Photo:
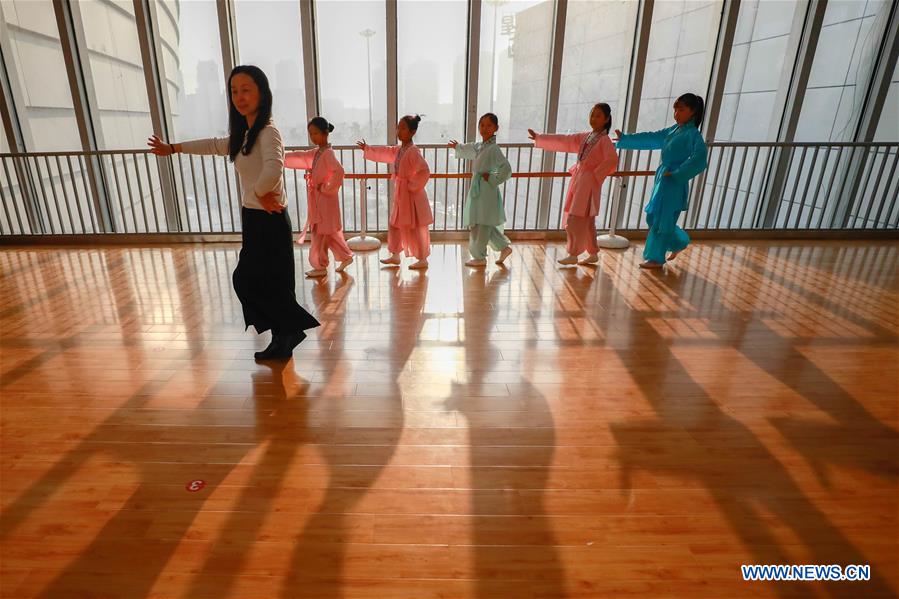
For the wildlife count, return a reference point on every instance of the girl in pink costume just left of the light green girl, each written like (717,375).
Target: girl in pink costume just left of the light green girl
(411,213)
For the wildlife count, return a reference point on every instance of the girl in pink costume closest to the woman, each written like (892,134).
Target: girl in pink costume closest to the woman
(324,176)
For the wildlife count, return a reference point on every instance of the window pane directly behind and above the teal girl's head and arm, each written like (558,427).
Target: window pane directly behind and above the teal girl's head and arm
(679,57)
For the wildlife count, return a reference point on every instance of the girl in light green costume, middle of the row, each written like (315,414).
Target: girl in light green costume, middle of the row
(484,214)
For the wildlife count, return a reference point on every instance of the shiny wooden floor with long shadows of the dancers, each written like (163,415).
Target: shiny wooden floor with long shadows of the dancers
(532,431)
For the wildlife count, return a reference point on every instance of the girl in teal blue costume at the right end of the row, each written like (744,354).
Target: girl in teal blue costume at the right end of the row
(683,157)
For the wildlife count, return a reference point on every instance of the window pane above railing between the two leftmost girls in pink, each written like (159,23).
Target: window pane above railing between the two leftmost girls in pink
(352,73)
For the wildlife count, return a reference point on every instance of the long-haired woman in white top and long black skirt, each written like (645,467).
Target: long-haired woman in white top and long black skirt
(264,278)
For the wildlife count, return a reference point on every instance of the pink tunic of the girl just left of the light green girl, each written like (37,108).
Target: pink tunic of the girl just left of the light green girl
(411,207)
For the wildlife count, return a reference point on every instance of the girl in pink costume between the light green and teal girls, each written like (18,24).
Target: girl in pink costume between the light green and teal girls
(596,160)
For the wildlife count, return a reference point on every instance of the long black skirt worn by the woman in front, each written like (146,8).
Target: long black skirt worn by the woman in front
(264,279)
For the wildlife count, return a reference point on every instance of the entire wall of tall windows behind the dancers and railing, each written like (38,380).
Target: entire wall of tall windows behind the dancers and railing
(513,73)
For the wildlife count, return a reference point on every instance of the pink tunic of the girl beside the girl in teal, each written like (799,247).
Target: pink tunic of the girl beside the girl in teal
(596,161)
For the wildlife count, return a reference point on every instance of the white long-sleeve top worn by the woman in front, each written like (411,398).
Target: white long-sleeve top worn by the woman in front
(260,171)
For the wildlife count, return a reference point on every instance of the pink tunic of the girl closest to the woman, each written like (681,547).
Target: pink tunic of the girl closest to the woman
(324,176)
